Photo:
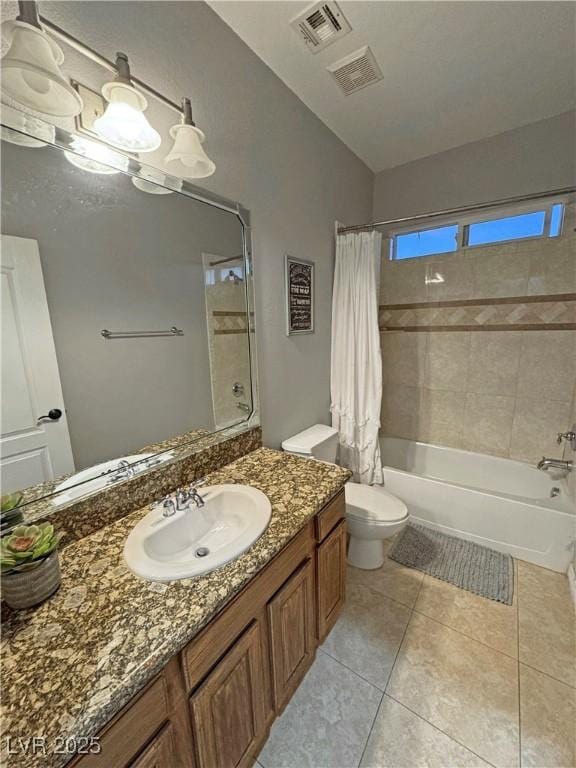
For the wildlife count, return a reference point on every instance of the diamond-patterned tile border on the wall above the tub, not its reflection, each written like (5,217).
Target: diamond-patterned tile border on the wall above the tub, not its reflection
(510,313)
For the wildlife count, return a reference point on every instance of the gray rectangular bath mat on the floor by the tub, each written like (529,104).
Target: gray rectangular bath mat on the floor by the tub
(463,563)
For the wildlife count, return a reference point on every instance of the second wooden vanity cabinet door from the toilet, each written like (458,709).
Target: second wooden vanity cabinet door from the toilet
(291,615)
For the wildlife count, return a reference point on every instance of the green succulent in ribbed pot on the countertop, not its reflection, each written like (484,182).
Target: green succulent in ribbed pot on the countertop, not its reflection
(29,564)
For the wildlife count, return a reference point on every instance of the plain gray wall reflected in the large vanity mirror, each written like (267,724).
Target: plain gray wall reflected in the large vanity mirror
(115,257)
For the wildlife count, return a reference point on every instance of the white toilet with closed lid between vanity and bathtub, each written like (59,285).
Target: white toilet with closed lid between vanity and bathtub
(372,514)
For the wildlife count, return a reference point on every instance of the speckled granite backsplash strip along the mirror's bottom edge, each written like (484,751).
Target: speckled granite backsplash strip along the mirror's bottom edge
(191,461)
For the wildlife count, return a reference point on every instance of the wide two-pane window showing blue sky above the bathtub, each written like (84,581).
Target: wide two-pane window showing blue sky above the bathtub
(470,232)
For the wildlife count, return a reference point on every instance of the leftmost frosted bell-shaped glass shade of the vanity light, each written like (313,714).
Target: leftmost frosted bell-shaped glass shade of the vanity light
(31,72)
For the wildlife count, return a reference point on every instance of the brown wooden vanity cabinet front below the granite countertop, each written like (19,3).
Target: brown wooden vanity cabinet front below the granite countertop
(213,703)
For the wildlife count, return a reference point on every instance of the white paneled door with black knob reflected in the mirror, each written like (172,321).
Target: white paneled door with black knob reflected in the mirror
(32,448)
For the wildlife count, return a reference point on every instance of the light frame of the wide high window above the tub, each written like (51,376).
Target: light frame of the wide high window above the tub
(464,222)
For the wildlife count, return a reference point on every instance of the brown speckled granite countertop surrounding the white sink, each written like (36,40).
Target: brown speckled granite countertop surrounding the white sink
(69,665)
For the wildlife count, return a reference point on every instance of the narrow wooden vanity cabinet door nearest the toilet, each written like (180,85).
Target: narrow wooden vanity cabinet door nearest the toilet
(331,579)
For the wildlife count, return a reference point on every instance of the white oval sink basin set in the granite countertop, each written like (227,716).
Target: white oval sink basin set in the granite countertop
(197,539)
